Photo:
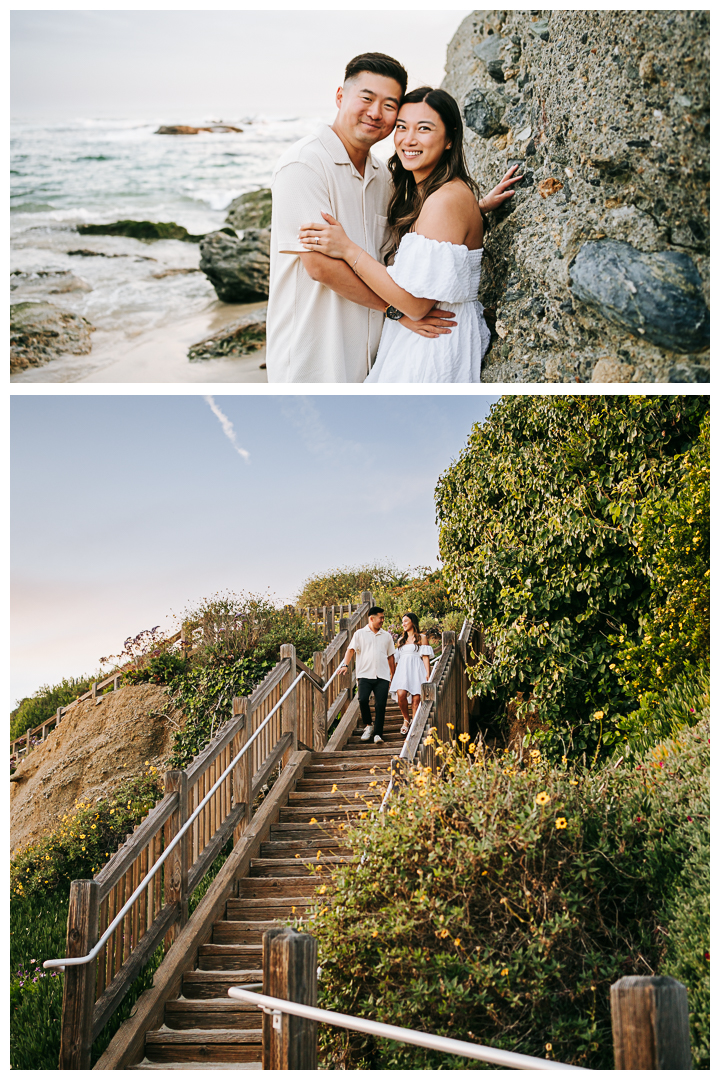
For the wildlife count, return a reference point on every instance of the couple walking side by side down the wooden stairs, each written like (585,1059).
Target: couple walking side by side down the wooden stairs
(384,668)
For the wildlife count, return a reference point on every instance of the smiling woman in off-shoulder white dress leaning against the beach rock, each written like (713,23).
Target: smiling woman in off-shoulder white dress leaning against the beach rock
(437,228)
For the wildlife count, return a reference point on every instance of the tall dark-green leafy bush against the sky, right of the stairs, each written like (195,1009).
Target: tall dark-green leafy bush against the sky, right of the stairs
(537,536)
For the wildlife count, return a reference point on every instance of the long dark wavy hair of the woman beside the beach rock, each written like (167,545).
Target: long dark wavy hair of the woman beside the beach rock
(409,197)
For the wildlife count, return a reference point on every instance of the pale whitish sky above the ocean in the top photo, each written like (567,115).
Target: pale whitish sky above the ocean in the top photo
(187,65)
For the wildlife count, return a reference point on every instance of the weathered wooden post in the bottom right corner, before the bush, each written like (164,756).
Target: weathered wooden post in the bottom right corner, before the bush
(650,1023)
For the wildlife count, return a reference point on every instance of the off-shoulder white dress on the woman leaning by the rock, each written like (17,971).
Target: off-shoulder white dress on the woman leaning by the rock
(450,274)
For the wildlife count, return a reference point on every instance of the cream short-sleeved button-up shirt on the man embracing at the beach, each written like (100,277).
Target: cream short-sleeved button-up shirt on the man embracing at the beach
(315,335)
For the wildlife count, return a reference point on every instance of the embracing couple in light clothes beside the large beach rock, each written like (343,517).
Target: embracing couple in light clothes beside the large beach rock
(375,269)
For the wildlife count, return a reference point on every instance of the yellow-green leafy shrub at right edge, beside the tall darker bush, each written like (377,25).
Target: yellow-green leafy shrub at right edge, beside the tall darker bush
(673,538)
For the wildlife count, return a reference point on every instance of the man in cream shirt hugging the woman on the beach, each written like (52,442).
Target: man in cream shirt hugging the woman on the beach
(324,325)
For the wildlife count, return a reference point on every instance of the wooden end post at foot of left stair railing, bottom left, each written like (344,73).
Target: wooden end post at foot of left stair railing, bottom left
(79,992)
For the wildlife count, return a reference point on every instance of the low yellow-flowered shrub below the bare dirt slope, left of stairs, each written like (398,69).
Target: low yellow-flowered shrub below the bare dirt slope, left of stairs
(84,841)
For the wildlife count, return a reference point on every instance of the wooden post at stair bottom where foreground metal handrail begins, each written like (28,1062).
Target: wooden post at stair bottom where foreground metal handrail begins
(290,971)
